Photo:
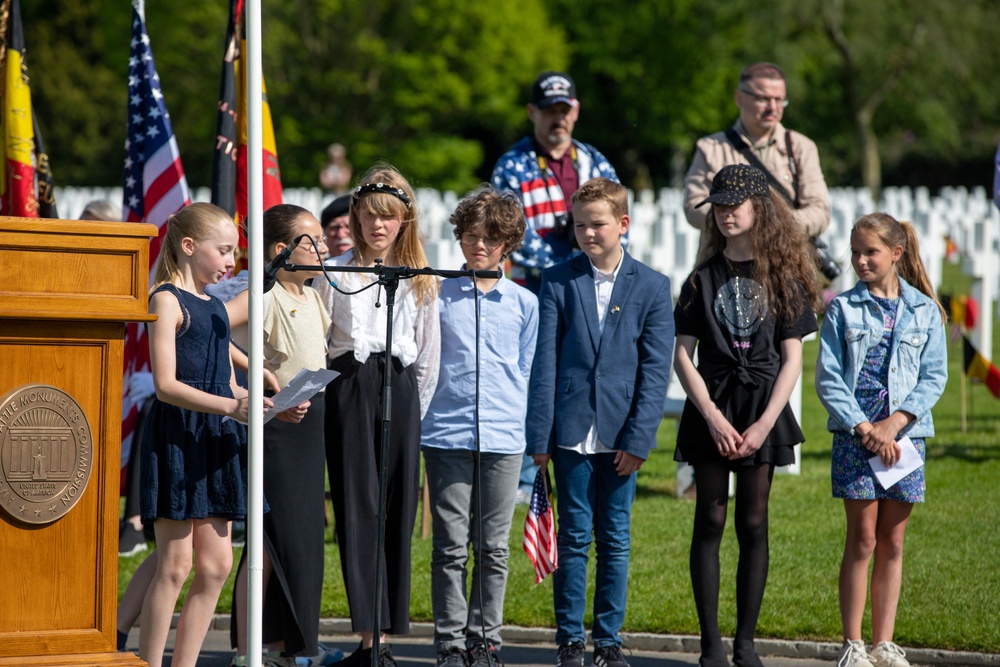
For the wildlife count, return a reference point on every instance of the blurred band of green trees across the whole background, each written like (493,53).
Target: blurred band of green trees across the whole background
(893,92)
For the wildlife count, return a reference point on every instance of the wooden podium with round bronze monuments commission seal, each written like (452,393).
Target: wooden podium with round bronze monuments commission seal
(67,288)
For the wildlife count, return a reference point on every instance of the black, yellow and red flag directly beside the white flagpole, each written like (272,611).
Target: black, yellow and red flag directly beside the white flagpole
(229,167)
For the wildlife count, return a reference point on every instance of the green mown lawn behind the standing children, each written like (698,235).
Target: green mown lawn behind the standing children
(951,574)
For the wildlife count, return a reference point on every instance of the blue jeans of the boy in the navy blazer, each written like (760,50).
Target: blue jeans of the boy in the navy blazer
(592,501)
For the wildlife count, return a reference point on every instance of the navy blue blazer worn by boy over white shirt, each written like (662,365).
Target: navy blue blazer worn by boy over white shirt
(620,376)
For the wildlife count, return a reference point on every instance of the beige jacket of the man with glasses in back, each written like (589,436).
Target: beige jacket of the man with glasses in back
(715,151)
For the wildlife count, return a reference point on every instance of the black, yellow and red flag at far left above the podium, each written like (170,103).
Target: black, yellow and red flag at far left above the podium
(25,179)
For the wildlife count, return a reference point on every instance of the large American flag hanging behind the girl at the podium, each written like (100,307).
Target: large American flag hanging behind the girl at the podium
(154,189)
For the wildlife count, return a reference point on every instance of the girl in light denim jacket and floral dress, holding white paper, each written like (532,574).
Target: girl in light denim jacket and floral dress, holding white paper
(882,367)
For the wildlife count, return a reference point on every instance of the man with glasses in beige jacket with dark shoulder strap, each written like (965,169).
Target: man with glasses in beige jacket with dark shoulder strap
(790,157)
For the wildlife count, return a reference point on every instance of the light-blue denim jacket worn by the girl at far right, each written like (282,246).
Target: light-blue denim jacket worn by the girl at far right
(918,364)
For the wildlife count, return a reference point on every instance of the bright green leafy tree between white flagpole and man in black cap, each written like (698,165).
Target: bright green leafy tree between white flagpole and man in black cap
(420,84)
